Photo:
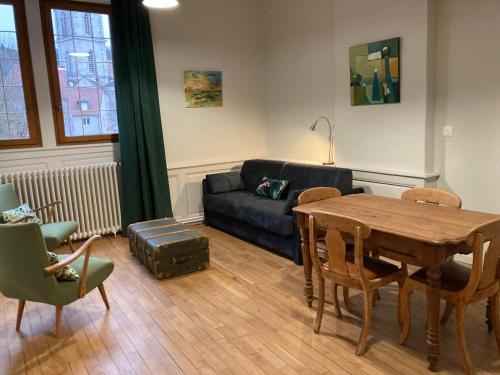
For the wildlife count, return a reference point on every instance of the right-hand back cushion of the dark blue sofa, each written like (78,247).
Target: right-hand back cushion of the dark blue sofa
(303,176)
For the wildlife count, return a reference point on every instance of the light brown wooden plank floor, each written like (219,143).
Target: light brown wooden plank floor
(245,314)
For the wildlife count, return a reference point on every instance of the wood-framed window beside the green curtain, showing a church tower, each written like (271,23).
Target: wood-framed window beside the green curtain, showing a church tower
(81,71)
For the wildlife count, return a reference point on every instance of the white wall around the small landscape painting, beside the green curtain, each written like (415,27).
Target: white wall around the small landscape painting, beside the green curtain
(224,35)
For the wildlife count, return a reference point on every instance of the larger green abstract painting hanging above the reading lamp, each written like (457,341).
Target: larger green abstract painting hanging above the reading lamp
(374,74)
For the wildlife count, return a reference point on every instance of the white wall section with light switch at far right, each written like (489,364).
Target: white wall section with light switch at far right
(468,98)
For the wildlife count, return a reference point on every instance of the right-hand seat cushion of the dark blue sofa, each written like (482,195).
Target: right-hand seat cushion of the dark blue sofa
(267,214)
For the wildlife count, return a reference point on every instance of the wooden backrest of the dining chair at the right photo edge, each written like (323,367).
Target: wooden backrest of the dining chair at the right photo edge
(484,269)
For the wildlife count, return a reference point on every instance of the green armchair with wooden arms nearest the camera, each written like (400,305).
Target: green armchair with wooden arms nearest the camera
(25,273)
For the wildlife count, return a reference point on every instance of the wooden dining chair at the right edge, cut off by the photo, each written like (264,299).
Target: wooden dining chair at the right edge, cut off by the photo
(462,286)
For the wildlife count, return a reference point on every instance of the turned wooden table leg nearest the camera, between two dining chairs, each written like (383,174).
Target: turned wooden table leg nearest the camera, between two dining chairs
(433,301)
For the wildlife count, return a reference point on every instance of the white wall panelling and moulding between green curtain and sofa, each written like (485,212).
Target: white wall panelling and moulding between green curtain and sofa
(186,187)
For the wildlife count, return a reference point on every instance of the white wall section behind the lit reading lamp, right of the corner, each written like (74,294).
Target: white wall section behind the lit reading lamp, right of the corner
(299,71)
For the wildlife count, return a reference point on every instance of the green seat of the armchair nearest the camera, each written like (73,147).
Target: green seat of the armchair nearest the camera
(98,271)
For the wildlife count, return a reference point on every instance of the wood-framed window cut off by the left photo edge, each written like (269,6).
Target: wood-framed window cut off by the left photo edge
(19,124)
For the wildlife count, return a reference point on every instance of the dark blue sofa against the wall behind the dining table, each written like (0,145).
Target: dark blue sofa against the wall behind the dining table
(231,205)
